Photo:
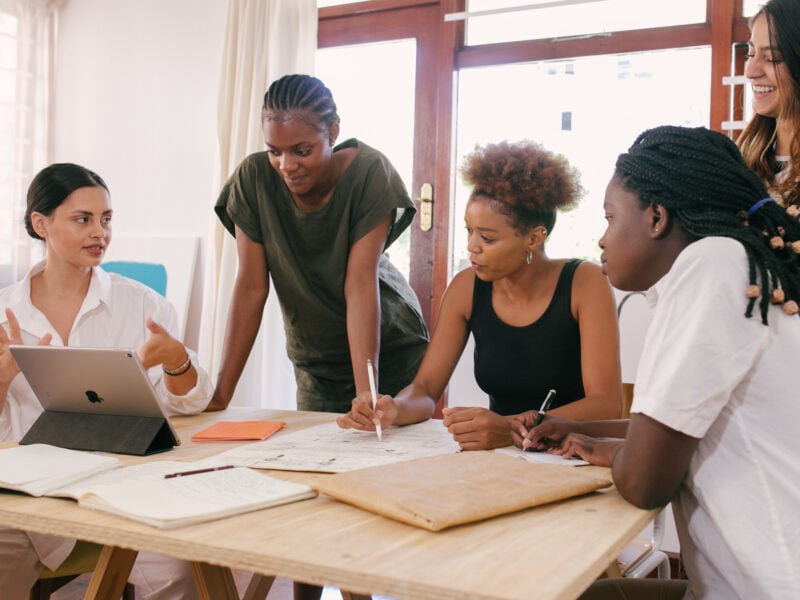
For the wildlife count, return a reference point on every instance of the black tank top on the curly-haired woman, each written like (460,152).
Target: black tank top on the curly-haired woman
(517,366)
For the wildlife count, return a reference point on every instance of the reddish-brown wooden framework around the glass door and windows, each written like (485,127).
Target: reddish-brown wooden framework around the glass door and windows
(392,19)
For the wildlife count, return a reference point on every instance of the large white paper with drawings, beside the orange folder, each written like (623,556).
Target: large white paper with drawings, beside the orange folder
(329,449)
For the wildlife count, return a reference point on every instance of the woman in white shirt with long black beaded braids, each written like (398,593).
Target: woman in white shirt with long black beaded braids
(713,424)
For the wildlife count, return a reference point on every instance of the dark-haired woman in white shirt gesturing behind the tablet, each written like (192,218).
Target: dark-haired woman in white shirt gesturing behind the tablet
(69,300)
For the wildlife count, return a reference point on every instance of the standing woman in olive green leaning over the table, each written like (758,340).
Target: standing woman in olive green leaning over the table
(316,218)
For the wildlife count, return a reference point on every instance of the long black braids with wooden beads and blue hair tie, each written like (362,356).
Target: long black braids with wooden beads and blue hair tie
(701,177)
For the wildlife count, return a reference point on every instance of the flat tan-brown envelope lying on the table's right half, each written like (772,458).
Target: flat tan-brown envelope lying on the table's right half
(441,491)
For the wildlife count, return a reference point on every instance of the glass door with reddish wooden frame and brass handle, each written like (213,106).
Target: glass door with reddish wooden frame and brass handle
(375,64)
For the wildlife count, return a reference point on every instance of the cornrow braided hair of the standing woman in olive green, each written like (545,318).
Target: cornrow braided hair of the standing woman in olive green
(292,93)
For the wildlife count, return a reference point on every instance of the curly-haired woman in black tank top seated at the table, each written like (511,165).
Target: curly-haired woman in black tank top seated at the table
(538,323)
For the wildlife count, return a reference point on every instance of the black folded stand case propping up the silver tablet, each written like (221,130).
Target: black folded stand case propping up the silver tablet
(119,434)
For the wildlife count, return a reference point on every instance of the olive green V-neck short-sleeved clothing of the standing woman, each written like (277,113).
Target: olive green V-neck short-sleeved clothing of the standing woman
(307,254)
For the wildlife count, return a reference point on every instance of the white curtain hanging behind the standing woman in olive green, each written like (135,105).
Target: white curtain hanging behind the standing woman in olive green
(264,40)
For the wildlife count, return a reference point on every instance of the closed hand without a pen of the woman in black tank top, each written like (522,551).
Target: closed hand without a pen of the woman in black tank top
(477,428)
